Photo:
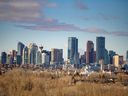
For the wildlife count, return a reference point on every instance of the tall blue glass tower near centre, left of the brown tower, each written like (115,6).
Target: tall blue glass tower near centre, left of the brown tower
(72,49)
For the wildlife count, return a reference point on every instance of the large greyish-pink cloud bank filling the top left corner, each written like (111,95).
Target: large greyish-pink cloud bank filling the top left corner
(23,10)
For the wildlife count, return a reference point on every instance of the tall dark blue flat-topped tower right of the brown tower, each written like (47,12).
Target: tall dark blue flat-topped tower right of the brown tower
(100,49)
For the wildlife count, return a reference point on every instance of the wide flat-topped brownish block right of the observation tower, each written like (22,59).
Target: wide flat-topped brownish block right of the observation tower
(56,56)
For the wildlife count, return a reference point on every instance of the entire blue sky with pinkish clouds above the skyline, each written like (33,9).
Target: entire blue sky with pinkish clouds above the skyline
(50,23)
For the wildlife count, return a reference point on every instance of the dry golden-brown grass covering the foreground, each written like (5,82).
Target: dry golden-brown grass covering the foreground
(20,83)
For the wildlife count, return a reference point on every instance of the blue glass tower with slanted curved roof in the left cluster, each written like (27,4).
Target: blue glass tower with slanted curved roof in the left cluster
(20,47)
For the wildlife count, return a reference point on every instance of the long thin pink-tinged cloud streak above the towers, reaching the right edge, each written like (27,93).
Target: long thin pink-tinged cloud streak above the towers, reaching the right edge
(56,26)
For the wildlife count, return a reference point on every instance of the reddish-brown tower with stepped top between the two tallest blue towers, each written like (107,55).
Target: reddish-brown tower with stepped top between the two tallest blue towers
(90,52)
